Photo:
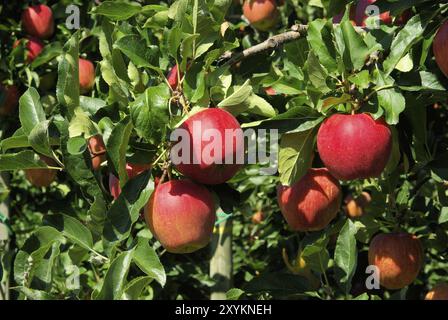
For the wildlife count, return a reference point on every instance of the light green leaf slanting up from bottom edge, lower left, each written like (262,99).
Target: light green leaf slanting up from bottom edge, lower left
(115,279)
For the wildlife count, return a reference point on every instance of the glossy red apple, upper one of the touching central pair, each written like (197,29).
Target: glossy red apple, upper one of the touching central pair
(210,166)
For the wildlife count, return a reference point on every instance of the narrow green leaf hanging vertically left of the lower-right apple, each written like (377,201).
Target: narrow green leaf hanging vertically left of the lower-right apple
(346,255)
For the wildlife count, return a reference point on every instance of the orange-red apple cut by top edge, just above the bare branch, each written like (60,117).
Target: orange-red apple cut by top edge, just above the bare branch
(262,14)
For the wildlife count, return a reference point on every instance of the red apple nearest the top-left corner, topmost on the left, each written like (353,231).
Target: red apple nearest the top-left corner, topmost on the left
(38,21)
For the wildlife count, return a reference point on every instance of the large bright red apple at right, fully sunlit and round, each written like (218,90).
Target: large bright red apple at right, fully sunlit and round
(354,146)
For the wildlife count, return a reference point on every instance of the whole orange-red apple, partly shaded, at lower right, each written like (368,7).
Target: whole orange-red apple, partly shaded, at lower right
(399,258)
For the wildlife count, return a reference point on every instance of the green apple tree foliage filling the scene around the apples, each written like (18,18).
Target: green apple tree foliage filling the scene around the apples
(388,72)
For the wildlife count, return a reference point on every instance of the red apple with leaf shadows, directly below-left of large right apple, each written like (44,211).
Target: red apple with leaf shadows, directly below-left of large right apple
(311,203)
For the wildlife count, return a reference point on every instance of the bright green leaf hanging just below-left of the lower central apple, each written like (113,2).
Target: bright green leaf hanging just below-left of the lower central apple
(147,260)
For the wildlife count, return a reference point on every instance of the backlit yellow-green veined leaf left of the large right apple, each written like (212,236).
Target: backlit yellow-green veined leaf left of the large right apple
(295,156)
